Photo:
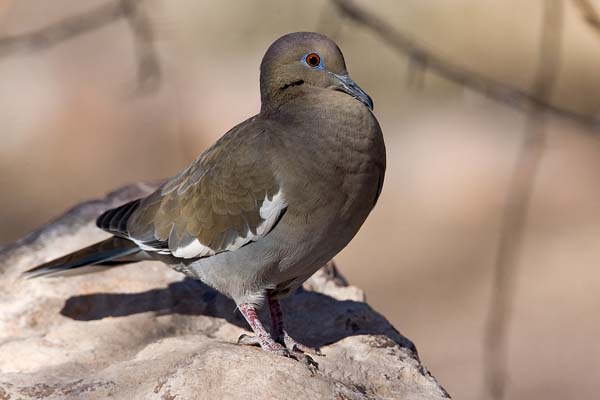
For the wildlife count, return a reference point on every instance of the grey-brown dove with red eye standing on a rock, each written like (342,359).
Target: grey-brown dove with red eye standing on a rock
(271,201)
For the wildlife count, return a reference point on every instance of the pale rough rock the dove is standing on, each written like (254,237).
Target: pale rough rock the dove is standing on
(143,331)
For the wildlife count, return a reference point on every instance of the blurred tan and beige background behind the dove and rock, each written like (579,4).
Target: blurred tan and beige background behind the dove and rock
(484,247)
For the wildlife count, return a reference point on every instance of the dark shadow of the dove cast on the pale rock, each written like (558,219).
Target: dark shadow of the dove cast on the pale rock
(312,318)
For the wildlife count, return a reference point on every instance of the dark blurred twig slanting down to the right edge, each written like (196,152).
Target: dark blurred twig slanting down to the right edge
(498,91)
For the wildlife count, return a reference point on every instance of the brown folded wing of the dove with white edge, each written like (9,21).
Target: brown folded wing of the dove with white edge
(225,199)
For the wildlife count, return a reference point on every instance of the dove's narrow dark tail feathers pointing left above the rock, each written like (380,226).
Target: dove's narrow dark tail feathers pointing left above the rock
(105,253)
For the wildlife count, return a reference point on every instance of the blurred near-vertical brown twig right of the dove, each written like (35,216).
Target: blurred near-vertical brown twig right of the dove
(517,205)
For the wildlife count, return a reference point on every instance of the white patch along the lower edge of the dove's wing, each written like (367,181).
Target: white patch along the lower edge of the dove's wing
(270,211)
